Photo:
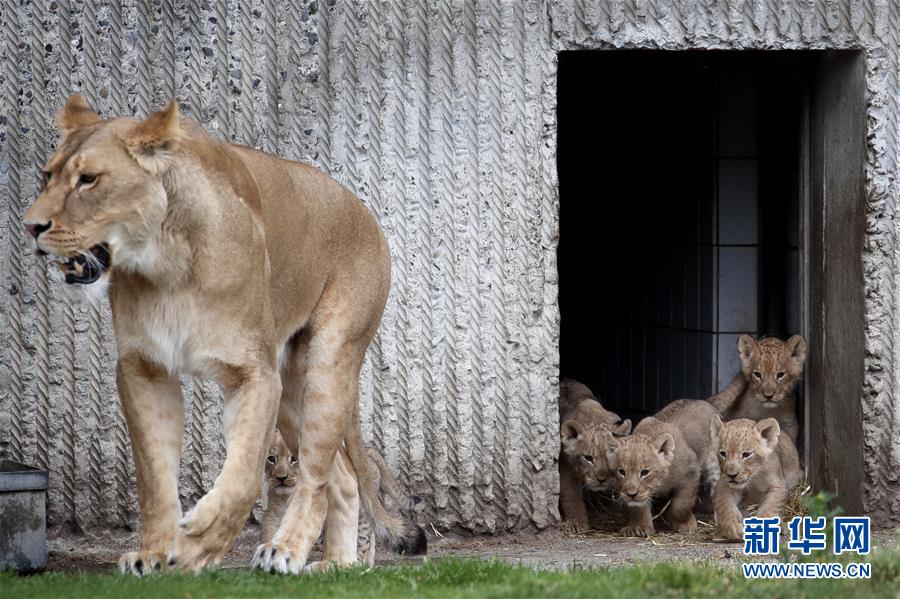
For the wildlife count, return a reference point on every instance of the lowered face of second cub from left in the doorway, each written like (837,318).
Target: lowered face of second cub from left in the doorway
(641,463)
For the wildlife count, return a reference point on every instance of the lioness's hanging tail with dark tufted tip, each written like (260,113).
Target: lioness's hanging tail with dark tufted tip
(399,534)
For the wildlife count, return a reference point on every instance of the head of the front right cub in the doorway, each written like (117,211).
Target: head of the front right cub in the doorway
(742,447)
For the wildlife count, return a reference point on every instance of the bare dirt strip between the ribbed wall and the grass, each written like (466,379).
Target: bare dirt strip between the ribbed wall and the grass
(547,549)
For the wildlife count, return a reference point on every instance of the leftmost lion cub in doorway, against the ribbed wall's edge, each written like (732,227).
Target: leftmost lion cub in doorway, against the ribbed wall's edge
(582,456)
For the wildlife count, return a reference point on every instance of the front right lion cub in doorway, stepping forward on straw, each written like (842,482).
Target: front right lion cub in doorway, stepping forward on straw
(758,465)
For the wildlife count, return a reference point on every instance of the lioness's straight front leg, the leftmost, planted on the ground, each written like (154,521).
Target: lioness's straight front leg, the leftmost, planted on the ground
(154,412)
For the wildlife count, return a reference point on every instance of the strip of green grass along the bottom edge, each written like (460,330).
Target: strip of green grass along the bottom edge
(462,578)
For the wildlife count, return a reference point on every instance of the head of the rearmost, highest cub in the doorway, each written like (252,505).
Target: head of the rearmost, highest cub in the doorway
(772,366)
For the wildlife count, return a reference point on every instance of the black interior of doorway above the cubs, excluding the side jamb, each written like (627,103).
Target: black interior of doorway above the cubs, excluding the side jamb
(679,184)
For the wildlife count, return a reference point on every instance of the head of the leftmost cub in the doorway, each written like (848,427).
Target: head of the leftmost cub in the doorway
(586,444)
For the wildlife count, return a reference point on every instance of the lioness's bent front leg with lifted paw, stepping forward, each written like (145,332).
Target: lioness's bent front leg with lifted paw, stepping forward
(208,530)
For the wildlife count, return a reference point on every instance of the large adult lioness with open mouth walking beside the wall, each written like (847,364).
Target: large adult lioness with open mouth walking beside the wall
(224,263)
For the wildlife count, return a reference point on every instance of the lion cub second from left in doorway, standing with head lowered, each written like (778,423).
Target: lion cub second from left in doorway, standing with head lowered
(668,455)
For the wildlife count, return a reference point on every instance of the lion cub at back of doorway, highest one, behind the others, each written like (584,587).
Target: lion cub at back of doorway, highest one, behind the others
(764,388)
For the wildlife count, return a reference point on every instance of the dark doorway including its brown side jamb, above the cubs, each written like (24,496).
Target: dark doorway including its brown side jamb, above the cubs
(703,195)
